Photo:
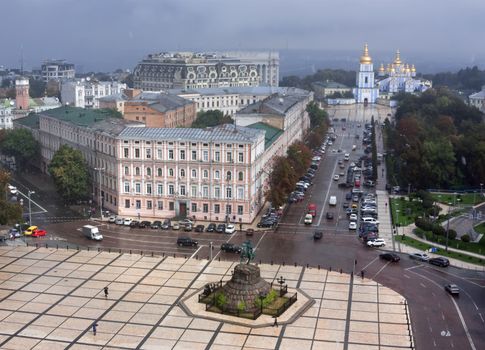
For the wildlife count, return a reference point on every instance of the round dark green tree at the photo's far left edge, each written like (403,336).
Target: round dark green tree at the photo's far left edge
(20,143)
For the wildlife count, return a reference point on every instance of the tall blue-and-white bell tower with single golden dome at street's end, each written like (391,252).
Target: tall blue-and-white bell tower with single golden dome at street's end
(366,91)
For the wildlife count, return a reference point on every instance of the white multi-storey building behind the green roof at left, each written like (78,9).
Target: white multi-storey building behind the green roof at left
(85,93)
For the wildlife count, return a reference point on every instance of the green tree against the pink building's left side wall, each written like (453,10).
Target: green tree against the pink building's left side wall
(70,174)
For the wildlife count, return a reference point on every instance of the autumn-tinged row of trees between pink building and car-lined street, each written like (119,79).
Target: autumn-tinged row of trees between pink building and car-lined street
(288,169)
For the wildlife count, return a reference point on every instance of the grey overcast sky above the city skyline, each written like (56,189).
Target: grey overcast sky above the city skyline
(107,34)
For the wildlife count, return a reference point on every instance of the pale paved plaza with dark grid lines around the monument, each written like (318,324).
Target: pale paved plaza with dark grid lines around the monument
(51,298)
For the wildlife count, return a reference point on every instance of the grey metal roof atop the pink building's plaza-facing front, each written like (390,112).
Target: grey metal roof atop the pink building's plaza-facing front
(221,133)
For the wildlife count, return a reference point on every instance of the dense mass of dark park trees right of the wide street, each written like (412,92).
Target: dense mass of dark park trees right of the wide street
(437,141)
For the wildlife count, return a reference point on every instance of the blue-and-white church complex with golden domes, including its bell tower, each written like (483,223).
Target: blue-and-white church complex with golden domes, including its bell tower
(397,77)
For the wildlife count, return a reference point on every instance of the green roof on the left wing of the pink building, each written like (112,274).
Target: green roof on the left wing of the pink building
(81,116)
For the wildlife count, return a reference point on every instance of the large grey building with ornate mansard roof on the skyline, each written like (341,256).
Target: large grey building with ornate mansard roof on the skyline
(187,70)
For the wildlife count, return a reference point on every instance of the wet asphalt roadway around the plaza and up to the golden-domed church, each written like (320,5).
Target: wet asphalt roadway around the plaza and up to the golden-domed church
(438,320)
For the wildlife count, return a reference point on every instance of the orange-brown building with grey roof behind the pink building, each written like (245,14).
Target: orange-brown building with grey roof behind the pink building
(155,109)
